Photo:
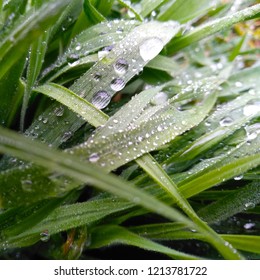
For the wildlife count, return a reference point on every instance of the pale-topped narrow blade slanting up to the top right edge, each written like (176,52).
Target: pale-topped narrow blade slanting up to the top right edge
(211,27)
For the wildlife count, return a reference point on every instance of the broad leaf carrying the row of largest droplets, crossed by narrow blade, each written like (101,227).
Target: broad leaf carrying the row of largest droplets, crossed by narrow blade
(100,76)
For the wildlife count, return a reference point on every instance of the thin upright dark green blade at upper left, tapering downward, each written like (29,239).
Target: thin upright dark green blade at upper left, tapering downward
(37,53)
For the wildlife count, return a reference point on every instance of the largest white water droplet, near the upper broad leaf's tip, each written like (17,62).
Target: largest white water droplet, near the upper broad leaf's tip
(150,48)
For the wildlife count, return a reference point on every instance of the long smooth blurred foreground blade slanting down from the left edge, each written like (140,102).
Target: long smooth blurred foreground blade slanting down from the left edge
(20,146)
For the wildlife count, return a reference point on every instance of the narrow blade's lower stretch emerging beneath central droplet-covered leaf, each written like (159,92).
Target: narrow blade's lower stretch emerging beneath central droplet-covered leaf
(152,168)
